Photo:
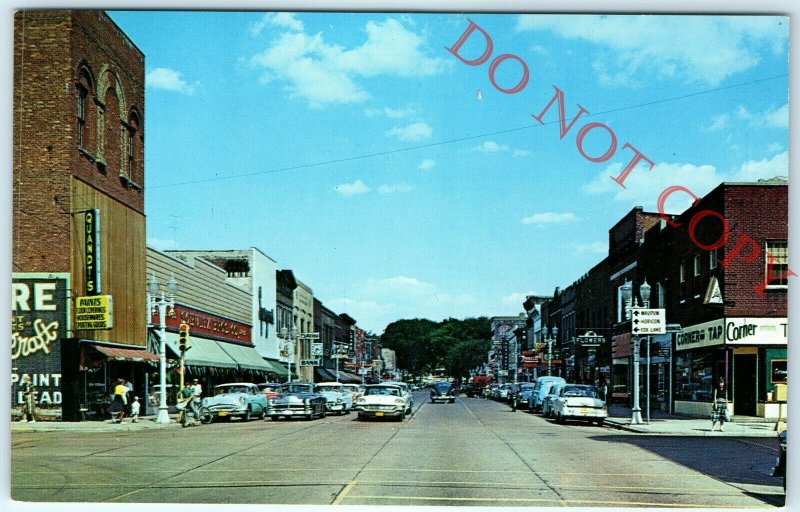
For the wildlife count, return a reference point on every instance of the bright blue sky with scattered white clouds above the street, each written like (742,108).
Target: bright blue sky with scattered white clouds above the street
(397,182)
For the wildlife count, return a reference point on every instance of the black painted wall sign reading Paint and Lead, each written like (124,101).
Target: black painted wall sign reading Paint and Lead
(39,321)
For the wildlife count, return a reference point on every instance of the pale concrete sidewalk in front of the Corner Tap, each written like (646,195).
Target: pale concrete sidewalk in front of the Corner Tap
(672,425)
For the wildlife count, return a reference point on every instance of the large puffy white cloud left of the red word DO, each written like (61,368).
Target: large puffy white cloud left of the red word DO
(325,73)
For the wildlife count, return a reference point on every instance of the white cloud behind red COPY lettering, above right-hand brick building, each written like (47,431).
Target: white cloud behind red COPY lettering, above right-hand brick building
(643,188)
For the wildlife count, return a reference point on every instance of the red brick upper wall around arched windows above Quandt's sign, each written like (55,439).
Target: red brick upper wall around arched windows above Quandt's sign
(49,48)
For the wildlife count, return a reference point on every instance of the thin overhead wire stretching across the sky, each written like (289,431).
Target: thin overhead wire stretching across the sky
(462,139)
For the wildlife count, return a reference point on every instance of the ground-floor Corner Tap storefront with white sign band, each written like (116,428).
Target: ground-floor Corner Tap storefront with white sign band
(749,353)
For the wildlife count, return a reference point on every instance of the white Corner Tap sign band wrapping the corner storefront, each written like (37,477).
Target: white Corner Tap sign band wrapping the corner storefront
(734,331)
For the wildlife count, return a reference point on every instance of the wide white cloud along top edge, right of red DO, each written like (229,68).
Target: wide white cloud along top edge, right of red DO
(720,46)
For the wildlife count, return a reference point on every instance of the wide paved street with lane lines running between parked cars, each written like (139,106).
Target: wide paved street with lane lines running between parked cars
(474,452)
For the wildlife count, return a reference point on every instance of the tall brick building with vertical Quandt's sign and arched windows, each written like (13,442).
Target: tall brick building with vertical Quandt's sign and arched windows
(78,171)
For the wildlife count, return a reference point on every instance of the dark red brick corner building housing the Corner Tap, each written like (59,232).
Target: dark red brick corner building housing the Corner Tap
(731,304)
